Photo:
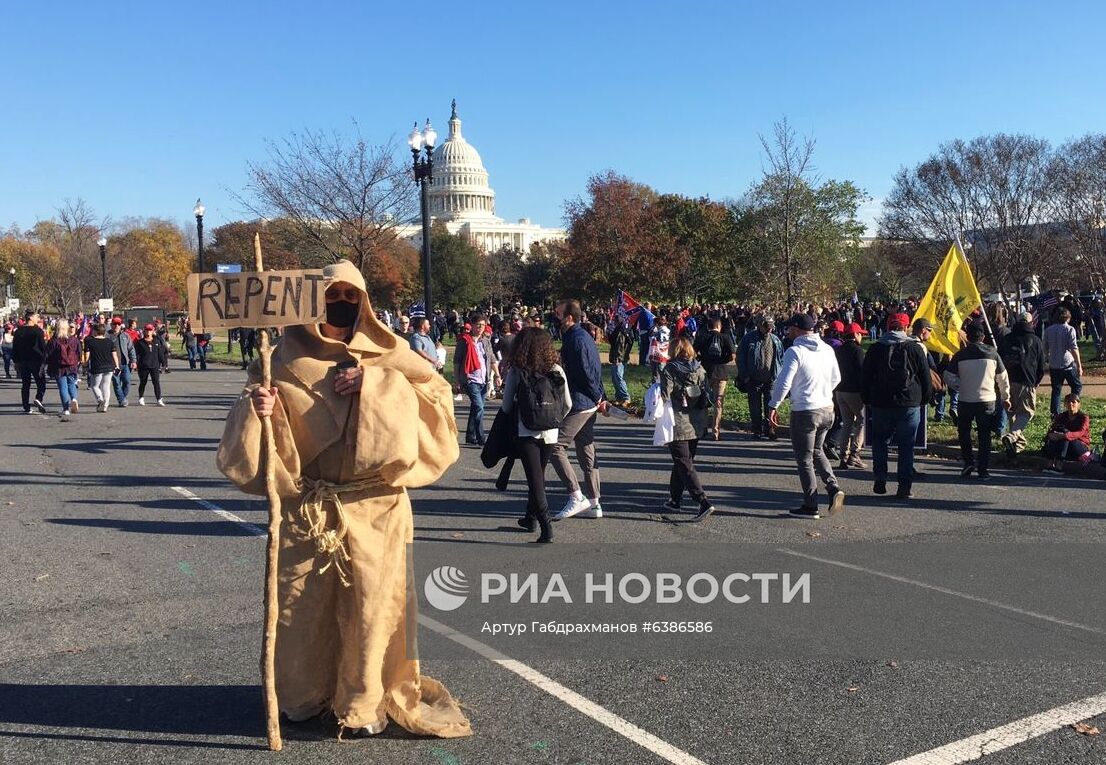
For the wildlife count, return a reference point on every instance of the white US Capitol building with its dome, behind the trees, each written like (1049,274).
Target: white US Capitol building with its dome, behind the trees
(463,201)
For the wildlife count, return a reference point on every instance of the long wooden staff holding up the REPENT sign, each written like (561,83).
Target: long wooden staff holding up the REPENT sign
(273,610)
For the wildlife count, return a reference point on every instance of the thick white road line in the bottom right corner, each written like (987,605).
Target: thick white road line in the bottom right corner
(1005,737)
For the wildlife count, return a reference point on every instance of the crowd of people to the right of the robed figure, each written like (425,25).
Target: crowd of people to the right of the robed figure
(841,394)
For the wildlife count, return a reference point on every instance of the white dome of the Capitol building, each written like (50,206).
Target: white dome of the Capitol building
(460,188)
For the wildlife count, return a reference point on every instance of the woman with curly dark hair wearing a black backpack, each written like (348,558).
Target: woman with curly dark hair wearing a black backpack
(538,392)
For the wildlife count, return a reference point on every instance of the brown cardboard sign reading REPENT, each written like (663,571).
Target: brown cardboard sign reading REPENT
(269,299)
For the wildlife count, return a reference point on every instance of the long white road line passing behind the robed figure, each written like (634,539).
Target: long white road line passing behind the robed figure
(620,726)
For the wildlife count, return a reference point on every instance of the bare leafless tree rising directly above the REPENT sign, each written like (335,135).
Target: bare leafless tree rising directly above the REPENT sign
(345,197)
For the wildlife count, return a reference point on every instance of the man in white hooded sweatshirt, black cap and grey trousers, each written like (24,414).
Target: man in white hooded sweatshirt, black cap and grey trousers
(809,374)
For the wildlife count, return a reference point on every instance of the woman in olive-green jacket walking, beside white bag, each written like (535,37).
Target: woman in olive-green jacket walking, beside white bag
(682,384)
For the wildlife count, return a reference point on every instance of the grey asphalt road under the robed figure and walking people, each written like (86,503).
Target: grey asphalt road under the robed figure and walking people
(130,623)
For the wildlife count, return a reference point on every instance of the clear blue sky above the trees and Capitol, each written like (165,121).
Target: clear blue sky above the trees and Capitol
(142,108)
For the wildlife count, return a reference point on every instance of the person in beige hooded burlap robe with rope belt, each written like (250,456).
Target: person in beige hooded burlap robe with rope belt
(350,444)
